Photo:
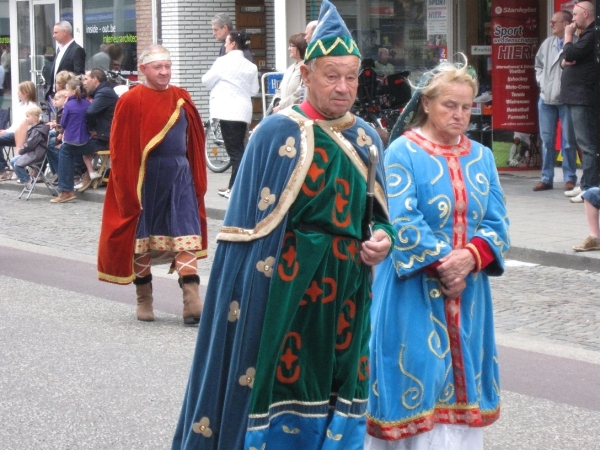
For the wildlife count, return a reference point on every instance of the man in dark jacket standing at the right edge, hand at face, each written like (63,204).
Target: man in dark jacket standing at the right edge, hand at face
(578,85)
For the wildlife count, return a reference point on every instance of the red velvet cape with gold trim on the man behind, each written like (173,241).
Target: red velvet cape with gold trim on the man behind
(143,116)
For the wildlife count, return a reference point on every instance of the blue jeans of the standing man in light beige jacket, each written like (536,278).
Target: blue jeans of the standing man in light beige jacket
(548,119)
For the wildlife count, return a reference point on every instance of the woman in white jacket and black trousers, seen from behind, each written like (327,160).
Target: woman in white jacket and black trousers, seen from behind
(232,81)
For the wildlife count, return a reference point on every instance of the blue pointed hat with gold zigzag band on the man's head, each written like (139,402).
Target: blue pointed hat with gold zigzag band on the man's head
(331,36)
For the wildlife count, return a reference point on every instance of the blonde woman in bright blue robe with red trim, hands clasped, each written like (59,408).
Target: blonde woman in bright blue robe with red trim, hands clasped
(434,365)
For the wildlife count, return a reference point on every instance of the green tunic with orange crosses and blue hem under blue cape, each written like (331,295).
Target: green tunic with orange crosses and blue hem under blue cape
(312,373)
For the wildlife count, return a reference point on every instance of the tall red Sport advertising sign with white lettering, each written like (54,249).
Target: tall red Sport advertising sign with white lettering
(514,44)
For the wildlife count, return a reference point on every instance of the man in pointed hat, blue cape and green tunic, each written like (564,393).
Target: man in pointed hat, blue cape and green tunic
(282,358)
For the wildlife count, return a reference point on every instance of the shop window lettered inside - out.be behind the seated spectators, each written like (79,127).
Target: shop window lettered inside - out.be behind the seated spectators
(110,36)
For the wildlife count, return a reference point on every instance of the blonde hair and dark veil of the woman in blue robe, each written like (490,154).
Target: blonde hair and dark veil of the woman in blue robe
(447,73)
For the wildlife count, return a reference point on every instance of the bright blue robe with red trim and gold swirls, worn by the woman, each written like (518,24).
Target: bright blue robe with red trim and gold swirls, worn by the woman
(434,360)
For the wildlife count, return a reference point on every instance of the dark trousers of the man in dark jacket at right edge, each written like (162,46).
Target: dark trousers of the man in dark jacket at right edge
(584,123)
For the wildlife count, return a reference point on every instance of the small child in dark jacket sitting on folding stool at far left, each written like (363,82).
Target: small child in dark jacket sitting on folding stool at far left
(35,147)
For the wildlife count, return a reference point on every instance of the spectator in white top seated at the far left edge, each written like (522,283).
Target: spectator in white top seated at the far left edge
(15,134)
